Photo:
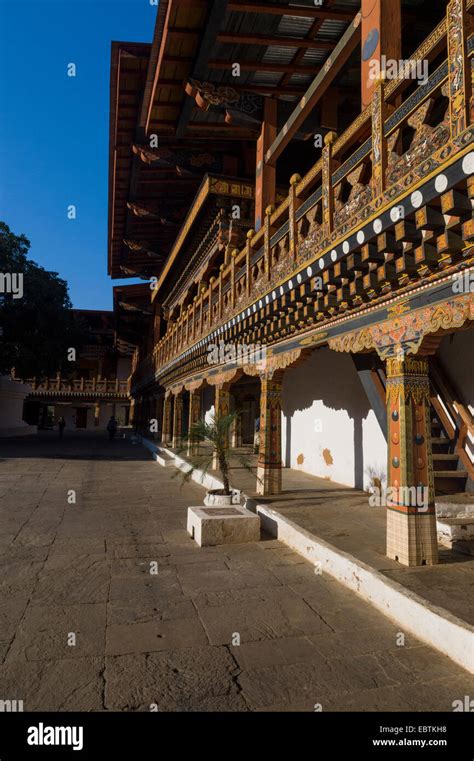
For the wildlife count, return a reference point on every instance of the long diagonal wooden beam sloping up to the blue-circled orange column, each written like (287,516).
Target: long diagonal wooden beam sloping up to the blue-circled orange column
(316,90)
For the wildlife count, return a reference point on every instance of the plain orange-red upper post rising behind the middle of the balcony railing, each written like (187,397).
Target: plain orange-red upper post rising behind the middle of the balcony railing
(265,176)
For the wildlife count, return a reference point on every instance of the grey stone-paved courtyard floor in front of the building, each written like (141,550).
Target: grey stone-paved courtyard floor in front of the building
(82,572)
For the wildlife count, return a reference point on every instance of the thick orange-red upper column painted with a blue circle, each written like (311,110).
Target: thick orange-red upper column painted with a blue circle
(381,39)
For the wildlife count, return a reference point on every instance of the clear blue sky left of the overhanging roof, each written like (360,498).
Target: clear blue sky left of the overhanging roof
(54,131)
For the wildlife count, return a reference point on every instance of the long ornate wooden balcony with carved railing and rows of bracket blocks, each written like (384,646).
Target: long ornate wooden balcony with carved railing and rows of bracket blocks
(386,207)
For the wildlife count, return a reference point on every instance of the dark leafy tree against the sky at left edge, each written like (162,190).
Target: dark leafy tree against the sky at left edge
(36,326)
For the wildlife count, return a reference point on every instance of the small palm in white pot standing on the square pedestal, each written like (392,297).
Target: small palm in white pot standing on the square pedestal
(214,433)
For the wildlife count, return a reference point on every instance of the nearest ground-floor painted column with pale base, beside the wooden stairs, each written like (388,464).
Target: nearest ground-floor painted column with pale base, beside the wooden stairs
(411,518)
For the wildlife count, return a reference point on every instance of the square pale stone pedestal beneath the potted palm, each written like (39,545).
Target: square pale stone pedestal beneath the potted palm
(210,526)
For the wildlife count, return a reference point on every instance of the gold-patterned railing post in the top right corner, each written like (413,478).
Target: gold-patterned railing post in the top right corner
(460,27)
